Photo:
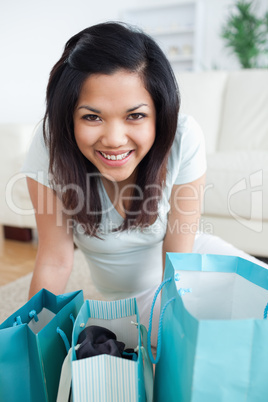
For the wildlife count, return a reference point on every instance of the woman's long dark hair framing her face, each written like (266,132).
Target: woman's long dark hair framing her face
(104,49)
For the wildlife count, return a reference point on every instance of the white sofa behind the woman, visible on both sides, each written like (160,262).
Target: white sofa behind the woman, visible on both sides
(232,109)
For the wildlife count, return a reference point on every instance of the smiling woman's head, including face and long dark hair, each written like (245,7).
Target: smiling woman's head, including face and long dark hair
(120,100)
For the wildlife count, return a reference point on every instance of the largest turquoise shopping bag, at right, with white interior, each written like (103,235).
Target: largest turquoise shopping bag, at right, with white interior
(213,331)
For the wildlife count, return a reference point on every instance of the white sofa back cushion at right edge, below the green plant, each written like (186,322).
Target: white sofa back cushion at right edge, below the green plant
(245,113)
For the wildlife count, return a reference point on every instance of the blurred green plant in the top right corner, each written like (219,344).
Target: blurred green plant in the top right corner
(246,34)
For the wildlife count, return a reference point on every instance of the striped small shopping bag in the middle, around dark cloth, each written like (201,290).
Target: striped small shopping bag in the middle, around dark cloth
(106,377)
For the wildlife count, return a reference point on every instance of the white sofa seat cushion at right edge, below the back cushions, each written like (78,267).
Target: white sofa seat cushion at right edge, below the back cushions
(237,185)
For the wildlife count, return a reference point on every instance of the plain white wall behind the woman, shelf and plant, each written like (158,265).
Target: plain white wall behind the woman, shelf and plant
(33,33)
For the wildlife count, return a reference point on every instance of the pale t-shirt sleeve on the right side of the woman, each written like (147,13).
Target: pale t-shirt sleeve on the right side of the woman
(188,156)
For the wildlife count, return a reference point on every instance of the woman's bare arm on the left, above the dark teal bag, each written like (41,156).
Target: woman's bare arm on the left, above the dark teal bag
(54,259)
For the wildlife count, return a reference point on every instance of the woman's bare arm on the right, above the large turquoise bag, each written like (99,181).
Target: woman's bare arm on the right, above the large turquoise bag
(183,218)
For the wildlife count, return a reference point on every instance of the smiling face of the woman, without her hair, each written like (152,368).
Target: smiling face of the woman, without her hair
(114,123)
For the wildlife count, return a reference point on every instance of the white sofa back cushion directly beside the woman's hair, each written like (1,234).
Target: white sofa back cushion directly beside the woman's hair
(202,95)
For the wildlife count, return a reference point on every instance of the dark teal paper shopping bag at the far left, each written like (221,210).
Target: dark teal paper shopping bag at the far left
(31,348)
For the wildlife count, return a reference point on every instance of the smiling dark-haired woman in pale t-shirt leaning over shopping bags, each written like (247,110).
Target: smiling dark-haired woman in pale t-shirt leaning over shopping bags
(114,168)
